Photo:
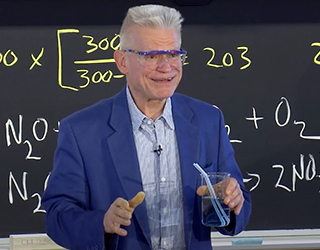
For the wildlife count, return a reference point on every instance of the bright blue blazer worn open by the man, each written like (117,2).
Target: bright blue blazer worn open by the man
(96,162)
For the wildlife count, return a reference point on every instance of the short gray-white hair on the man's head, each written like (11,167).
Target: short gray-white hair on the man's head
(151,15)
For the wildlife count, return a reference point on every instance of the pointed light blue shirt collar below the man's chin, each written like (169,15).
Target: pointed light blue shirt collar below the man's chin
(137,116)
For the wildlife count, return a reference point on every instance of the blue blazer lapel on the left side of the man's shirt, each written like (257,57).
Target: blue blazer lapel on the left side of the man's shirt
(124,155)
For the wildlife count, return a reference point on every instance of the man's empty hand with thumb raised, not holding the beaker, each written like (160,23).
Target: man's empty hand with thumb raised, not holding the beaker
(120,214)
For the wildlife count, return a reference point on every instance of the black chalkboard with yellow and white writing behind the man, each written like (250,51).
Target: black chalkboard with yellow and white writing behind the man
(258,61)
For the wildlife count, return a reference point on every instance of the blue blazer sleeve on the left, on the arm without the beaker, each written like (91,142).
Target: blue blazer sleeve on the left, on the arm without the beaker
(69,221)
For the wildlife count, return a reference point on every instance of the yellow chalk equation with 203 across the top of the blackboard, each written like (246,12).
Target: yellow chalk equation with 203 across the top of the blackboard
(9,58)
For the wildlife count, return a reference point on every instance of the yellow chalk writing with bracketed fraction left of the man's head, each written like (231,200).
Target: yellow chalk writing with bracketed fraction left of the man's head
(10,58)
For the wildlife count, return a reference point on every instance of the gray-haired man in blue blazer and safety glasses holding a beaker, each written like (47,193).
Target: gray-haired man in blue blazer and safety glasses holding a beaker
(123,176)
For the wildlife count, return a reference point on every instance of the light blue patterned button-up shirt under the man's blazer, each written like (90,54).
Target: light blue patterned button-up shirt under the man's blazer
(161,176)
